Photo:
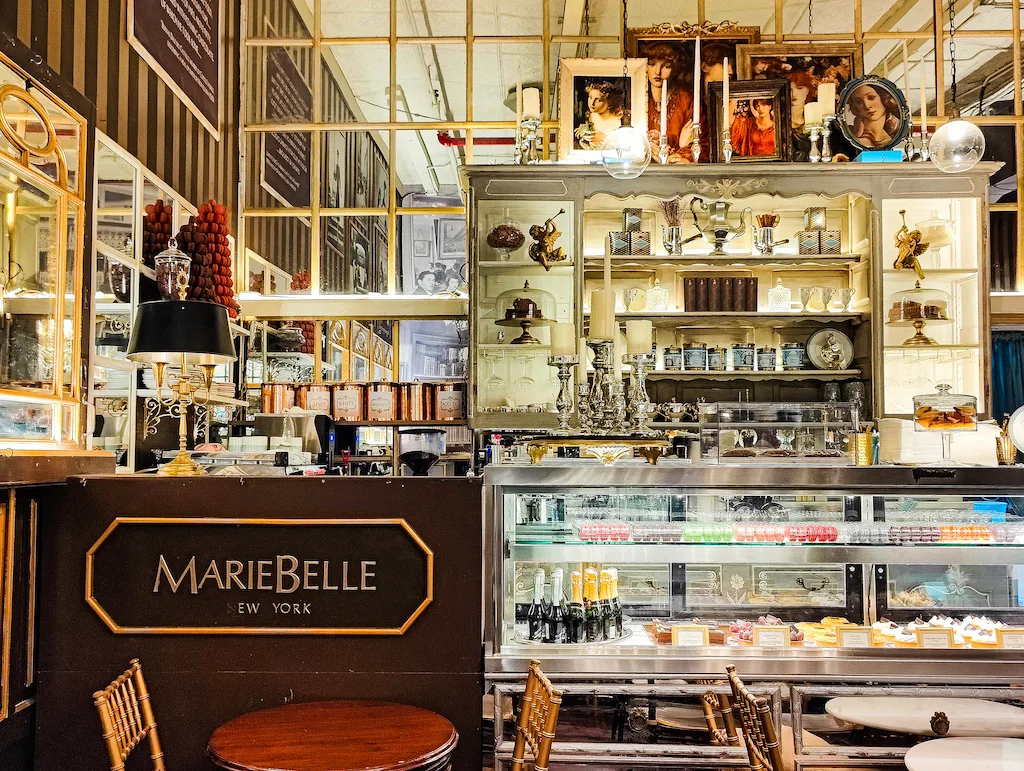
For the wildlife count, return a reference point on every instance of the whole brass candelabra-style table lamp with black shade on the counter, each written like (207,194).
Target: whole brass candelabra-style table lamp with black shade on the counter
(185,333)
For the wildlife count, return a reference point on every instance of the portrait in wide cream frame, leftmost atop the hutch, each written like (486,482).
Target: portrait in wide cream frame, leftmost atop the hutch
(595,98)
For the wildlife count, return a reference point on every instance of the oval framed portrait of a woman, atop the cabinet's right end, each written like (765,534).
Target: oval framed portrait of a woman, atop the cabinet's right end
(873,113)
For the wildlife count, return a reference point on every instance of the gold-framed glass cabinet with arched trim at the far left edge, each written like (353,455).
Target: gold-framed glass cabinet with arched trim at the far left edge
(42,179)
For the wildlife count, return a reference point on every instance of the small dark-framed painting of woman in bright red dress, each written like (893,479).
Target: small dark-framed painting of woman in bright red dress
(759,120)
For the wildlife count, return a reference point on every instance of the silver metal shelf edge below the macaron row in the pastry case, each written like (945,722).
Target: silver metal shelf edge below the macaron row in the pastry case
(791,554)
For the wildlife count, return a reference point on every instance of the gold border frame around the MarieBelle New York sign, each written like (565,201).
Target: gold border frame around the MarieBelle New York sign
(373,631)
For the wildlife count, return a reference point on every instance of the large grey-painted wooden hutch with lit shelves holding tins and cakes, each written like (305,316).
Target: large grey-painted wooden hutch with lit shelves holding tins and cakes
(797,265)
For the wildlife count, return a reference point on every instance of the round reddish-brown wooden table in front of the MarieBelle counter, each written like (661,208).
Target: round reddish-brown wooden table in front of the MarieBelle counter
(336,737)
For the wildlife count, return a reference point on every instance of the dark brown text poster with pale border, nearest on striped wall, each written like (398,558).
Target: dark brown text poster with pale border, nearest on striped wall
(182,41)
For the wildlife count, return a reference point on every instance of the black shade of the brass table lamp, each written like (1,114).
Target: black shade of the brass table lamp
(164,330)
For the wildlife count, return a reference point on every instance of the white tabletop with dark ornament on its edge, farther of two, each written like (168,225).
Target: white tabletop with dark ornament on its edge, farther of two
(968,717)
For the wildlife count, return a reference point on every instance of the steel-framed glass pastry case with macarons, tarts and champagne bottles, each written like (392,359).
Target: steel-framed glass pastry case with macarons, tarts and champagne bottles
(741,551)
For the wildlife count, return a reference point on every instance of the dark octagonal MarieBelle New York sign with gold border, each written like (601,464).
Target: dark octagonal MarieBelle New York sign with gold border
(211,576)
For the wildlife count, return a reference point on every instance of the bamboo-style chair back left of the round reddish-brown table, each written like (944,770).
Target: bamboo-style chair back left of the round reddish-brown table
(126,716)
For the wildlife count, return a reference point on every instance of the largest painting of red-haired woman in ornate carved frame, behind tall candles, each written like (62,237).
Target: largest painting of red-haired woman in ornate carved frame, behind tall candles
(670,51)
